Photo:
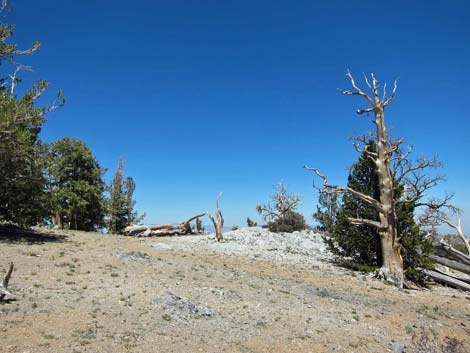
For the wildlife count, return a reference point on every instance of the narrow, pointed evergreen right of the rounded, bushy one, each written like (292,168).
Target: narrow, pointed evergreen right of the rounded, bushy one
(121,212)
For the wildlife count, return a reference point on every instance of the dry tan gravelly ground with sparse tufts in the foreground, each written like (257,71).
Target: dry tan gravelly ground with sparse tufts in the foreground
(88,292)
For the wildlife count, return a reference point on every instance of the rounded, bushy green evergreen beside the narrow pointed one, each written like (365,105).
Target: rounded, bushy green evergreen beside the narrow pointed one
(75,188)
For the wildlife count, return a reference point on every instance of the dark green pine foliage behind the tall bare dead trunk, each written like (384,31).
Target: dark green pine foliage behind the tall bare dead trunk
(359,246)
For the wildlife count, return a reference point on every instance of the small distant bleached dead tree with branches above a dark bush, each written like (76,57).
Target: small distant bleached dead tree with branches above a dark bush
(283,203)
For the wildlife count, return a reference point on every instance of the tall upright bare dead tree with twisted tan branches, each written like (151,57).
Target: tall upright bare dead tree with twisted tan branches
(398,175)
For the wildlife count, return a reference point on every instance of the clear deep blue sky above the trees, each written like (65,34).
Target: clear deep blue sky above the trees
(233,96)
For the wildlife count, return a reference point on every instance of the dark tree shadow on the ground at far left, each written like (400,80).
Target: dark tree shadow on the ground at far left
(13,234)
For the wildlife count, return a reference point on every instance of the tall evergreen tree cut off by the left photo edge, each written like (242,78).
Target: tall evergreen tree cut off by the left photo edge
(22,181)
